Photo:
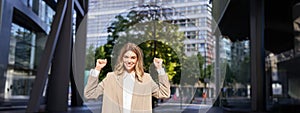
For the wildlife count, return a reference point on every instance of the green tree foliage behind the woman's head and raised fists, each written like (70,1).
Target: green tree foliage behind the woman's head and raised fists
(156,38)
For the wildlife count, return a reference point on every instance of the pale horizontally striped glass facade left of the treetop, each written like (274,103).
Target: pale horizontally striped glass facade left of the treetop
(101,14)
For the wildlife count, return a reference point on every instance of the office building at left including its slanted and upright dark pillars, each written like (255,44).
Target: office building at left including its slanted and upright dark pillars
(32,33)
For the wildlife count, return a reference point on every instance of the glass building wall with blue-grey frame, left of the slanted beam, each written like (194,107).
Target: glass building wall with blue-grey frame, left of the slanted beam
(23,36)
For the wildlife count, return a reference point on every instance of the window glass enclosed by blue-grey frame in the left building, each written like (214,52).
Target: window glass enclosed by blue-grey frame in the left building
(25,50)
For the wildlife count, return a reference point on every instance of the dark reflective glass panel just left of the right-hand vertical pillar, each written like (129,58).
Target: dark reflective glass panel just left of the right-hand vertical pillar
(235,58)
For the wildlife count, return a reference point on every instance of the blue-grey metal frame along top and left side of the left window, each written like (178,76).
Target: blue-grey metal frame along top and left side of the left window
(9,10)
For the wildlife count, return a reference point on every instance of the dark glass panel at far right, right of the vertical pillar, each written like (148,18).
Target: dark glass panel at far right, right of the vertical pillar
(282,68)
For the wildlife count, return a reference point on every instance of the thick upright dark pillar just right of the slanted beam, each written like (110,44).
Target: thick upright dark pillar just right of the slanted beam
(57,98)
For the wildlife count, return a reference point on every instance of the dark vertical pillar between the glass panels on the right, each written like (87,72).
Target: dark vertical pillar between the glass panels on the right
(258,99)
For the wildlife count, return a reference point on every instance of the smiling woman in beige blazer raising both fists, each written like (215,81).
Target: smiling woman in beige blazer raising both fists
(128,89)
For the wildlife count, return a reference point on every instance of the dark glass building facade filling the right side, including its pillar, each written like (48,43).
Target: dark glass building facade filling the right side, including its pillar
(261,76)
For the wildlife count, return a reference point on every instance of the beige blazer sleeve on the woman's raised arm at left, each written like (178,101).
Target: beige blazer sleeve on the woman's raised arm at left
(93,88)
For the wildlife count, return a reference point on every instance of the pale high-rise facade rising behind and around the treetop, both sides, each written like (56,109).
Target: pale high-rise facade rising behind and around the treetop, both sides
(192,16)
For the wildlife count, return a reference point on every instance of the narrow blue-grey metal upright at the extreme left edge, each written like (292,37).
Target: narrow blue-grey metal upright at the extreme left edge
(6,14)
